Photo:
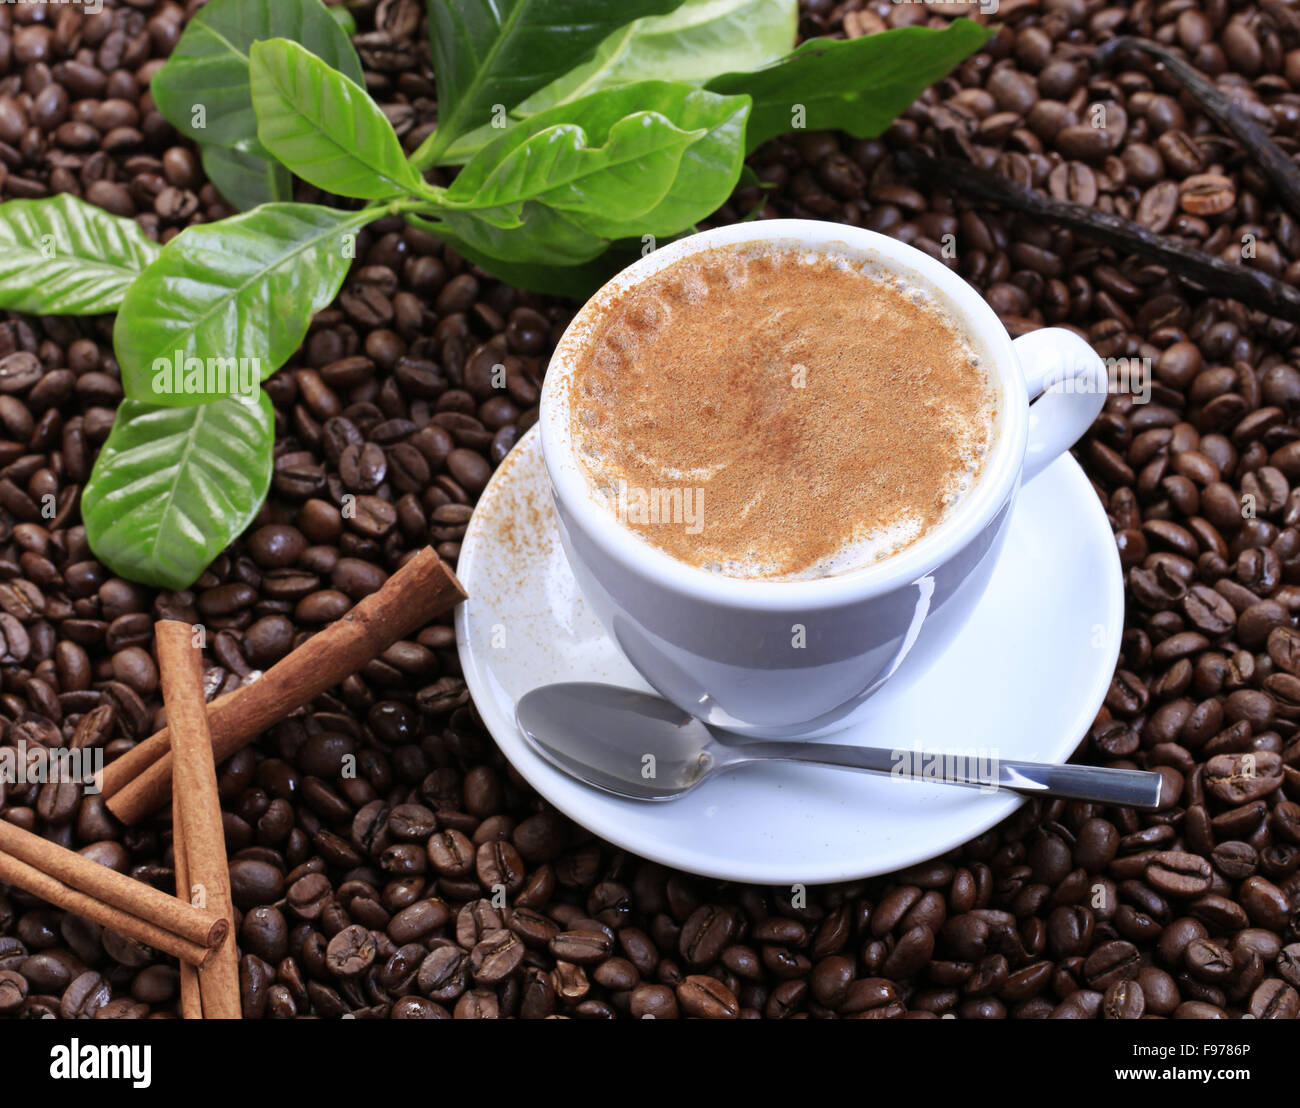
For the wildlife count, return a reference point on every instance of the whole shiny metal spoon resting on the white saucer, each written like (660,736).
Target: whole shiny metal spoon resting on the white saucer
(640,747)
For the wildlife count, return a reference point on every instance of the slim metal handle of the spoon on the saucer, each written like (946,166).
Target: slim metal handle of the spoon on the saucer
(1129,789)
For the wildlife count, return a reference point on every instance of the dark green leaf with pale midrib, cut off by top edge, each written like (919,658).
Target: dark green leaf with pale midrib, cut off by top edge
(488,55)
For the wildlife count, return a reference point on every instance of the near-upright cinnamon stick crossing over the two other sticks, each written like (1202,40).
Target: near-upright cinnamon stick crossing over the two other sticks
(203,839)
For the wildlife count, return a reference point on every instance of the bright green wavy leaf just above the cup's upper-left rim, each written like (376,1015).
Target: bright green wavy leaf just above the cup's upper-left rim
(614,163)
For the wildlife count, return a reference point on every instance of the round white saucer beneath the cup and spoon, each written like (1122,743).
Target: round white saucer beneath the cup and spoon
(1025,679)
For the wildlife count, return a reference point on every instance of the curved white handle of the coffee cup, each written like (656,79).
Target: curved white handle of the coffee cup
(1071,383)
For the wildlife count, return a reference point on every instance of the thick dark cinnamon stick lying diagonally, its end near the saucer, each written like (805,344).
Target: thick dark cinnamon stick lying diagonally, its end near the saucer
(138,782)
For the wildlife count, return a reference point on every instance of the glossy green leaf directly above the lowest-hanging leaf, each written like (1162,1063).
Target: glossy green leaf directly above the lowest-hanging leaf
(244,288)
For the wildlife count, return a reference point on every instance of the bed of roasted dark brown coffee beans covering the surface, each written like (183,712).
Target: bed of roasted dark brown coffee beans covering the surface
(374,894)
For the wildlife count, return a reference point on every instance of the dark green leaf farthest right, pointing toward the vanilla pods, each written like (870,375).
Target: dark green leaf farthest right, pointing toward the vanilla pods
(857,86)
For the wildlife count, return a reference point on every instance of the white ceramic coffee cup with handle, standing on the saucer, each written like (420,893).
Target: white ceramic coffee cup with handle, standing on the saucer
(799,659)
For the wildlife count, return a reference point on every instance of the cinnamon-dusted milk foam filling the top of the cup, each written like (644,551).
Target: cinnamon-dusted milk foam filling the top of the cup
(778,414)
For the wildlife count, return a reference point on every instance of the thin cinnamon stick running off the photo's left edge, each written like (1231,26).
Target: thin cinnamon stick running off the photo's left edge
(200,928)
